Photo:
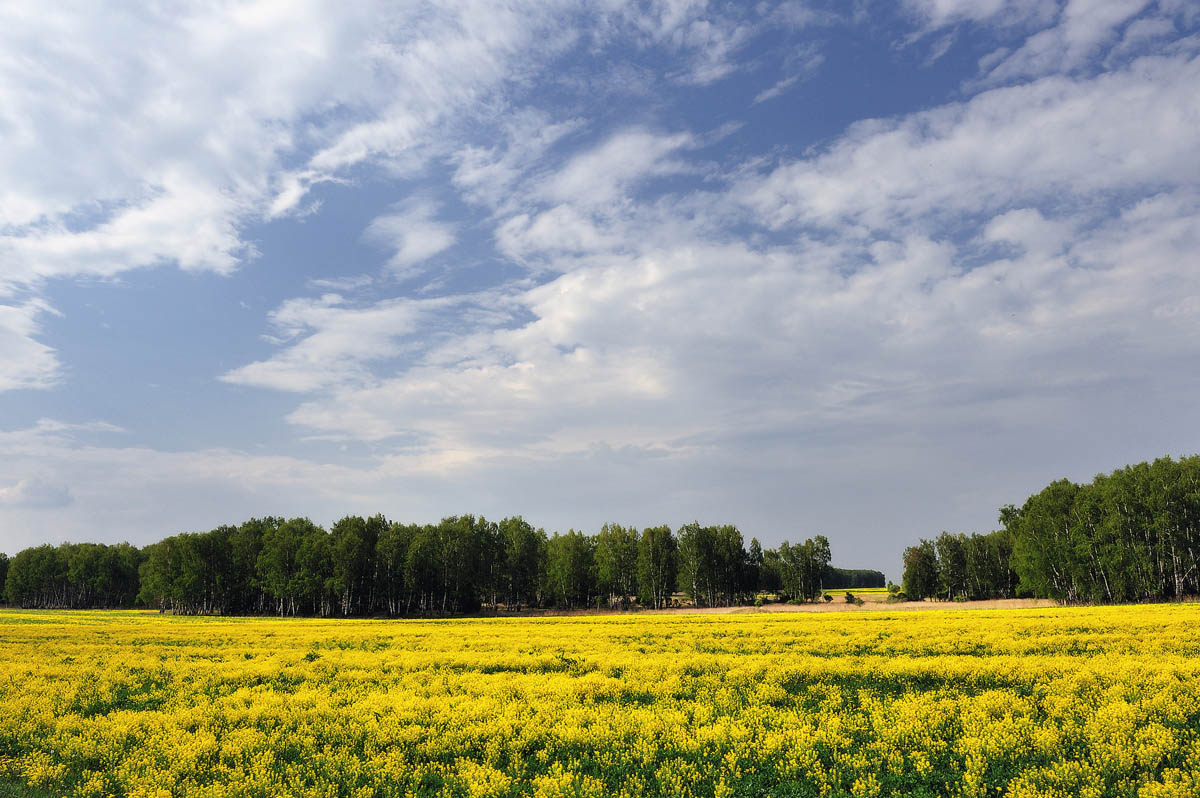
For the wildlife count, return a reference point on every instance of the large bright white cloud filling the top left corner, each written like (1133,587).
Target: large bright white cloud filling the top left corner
(164,149)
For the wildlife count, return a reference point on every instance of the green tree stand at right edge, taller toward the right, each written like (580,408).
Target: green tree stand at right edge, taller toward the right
(1131,536)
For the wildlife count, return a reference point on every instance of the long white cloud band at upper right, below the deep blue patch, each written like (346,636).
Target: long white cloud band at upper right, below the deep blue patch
(1053,140)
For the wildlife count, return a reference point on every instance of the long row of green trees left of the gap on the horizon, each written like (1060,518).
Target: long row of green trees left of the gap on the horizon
(369,567)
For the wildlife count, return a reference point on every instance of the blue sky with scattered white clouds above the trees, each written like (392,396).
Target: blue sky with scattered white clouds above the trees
(865,269)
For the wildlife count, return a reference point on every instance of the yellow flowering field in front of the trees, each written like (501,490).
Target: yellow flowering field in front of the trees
(1018,703)
